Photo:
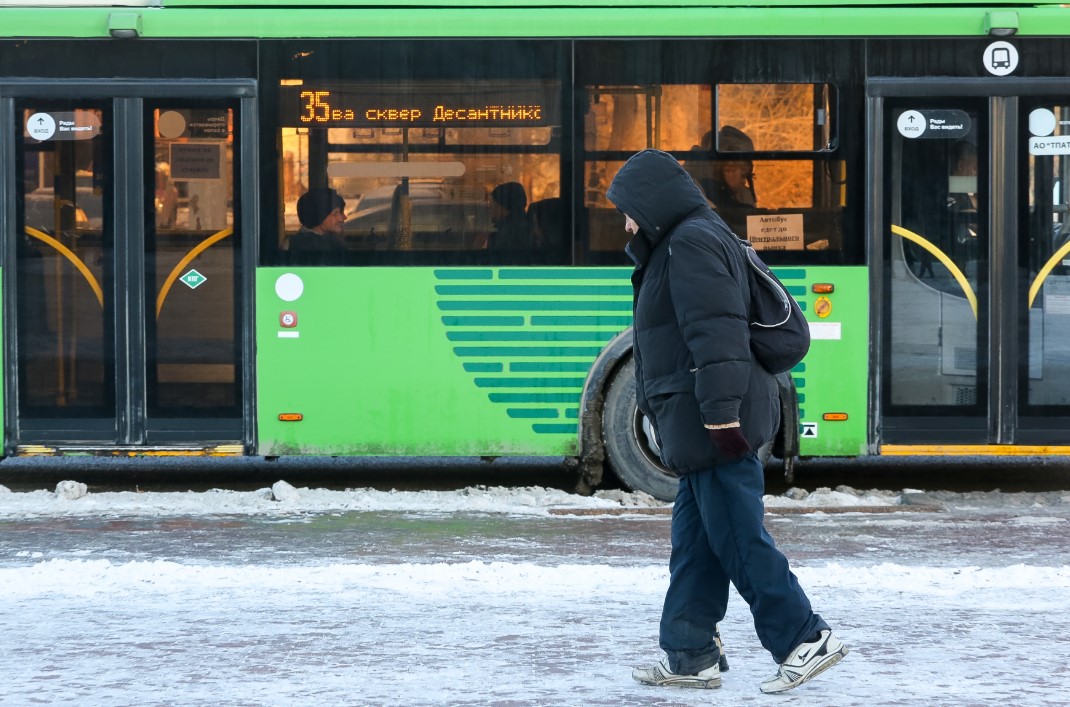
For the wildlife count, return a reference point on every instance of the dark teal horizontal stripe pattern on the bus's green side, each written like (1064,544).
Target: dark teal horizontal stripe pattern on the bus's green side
(529,336)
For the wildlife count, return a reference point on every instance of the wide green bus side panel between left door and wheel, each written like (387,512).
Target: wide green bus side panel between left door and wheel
(438,362)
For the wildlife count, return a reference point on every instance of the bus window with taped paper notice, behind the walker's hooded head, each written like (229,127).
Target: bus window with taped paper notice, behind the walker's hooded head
(789,206)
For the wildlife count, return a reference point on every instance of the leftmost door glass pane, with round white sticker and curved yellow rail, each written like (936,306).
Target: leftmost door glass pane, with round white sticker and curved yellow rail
(67,356)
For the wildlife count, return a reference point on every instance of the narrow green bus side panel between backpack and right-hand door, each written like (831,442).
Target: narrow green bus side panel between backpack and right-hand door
(835,374)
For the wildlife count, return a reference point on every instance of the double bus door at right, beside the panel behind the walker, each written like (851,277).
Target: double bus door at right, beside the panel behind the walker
(974,284)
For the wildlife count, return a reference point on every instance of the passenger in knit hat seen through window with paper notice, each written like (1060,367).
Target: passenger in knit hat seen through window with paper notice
(729,185)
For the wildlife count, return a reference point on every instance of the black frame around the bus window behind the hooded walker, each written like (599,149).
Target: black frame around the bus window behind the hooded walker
(609,63)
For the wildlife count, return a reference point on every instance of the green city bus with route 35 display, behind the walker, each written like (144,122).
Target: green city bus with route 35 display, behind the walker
(903,167)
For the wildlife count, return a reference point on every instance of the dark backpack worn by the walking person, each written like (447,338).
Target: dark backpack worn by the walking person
(779,333)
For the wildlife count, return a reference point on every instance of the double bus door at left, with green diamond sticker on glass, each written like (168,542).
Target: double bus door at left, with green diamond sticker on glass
(125,309)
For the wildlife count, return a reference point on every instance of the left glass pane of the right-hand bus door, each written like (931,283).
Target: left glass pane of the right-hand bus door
(935,385)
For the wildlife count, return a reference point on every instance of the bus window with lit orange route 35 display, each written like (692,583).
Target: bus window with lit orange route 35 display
(432,172)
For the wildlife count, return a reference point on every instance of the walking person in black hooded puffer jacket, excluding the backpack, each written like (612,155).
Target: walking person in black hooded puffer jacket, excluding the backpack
(711,407)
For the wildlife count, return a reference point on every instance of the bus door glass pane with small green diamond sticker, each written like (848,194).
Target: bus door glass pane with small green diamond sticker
(192,287)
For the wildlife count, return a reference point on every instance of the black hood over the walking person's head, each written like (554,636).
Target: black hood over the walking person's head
(656,192)
